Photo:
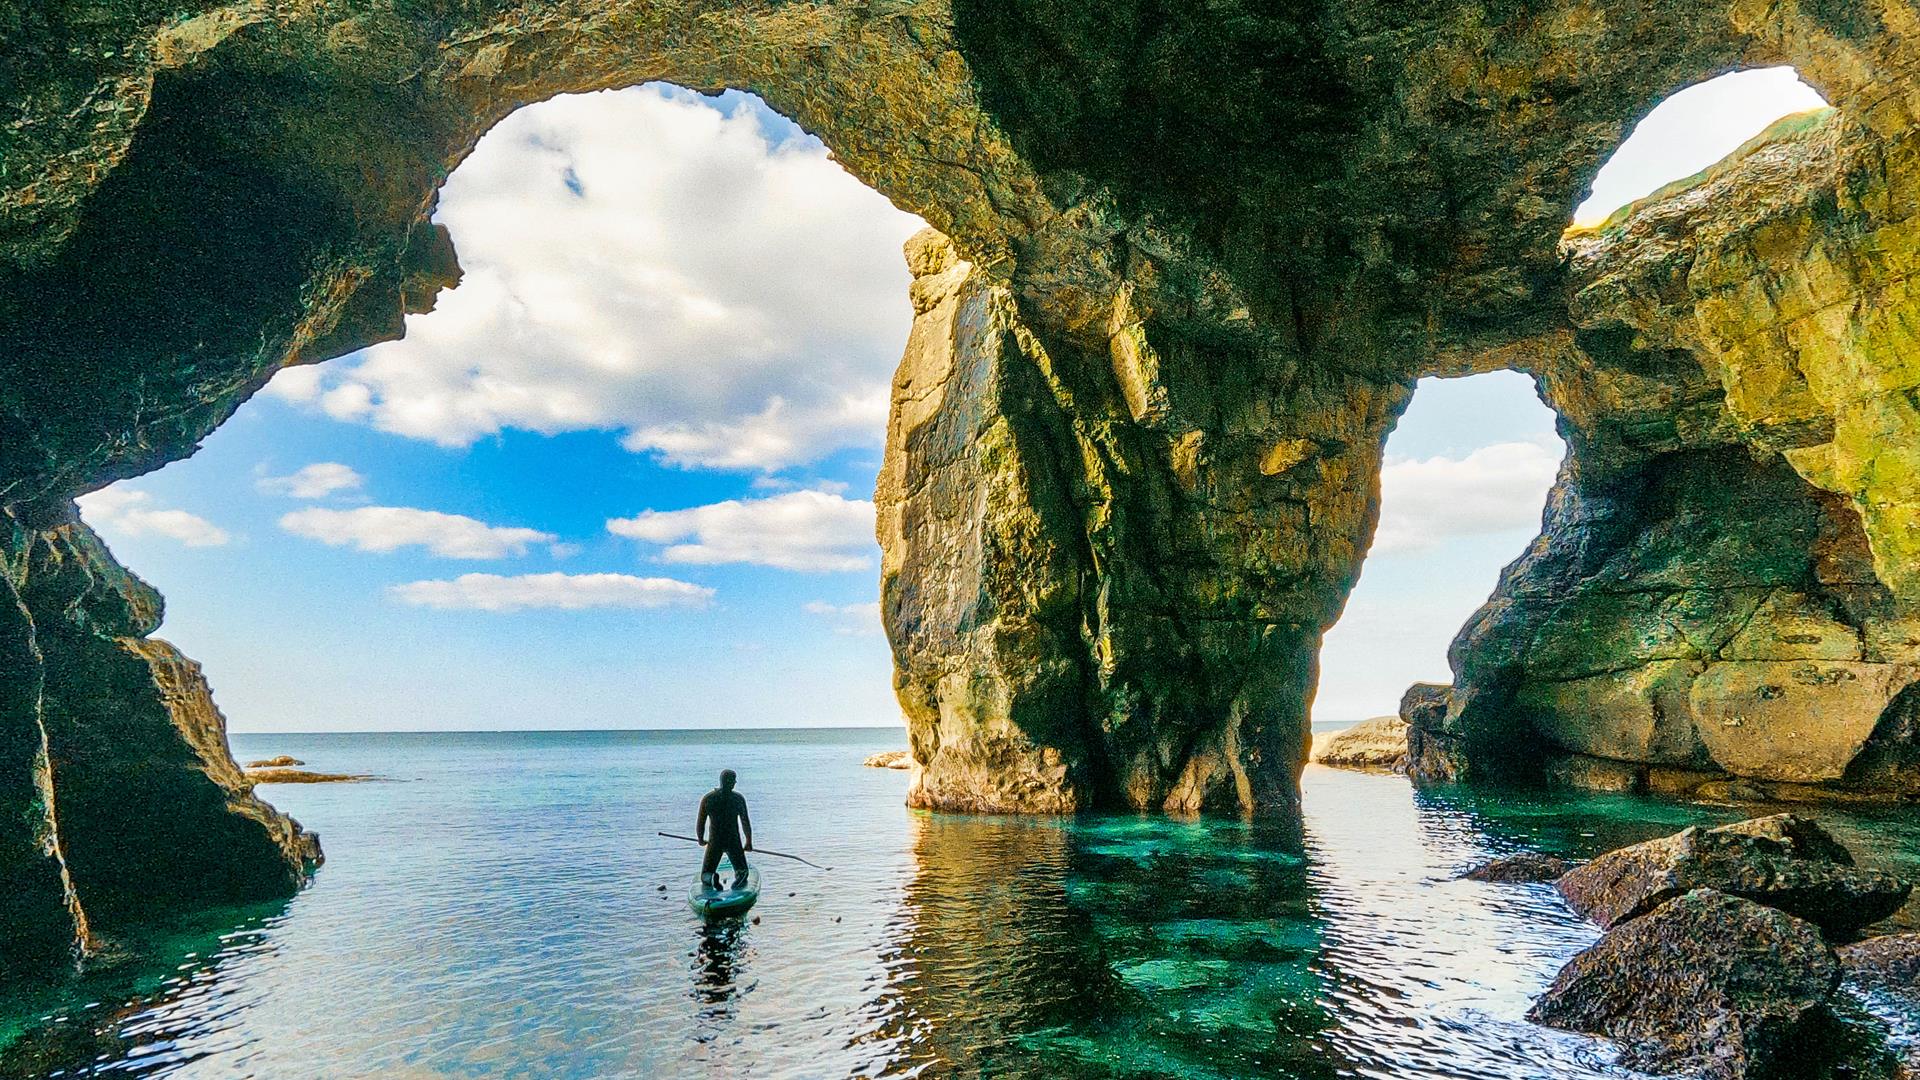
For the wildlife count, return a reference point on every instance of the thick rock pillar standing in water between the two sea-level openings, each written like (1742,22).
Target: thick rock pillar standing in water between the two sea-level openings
(1044,574)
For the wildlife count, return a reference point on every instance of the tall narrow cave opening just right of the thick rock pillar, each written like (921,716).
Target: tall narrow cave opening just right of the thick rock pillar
(1462,487)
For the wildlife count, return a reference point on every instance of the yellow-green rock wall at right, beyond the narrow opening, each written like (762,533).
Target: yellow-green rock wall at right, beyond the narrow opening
(1737,368)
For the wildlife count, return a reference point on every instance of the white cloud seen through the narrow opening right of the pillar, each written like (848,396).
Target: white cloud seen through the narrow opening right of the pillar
(1495,489)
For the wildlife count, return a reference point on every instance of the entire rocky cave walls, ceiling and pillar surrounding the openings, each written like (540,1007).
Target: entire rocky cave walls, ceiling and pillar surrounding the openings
(1189,262)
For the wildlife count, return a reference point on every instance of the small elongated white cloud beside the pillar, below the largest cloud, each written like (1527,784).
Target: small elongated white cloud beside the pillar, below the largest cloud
(798,531)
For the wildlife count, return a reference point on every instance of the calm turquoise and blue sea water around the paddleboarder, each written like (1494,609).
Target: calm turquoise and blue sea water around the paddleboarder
(498,912)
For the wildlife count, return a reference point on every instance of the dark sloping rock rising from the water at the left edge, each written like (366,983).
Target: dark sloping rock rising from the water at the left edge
(139,810)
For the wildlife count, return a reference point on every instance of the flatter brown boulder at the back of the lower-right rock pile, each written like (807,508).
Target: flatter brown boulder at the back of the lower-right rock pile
(1781,862)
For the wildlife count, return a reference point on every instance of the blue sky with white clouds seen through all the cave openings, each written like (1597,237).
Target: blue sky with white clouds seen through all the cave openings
(621,476)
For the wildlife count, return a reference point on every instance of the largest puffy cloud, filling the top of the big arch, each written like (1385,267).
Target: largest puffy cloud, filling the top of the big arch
(706,282)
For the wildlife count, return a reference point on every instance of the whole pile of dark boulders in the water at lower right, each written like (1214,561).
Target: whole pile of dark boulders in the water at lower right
(1725,952)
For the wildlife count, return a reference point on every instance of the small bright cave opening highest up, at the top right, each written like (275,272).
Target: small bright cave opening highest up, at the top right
(1691,132)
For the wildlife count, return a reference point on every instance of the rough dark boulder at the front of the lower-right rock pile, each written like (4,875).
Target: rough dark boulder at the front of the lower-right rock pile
(1708,985)
